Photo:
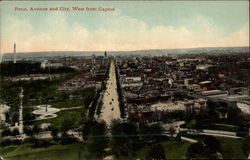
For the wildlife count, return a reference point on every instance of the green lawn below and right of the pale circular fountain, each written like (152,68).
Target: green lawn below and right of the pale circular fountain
(74,115)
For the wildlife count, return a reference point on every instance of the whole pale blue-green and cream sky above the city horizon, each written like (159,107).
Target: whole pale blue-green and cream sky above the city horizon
(134,25)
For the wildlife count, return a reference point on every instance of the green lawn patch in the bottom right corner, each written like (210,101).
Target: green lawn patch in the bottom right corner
(231,148)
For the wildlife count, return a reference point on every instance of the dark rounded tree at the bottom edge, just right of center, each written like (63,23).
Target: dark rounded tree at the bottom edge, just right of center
(156,152)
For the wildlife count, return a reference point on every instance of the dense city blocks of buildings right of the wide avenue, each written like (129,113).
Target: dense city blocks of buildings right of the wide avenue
(150,83)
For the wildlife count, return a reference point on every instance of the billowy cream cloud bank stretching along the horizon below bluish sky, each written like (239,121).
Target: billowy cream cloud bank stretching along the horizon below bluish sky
(117,33)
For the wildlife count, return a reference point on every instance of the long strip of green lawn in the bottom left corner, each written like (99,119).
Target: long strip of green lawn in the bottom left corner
(54,152)
